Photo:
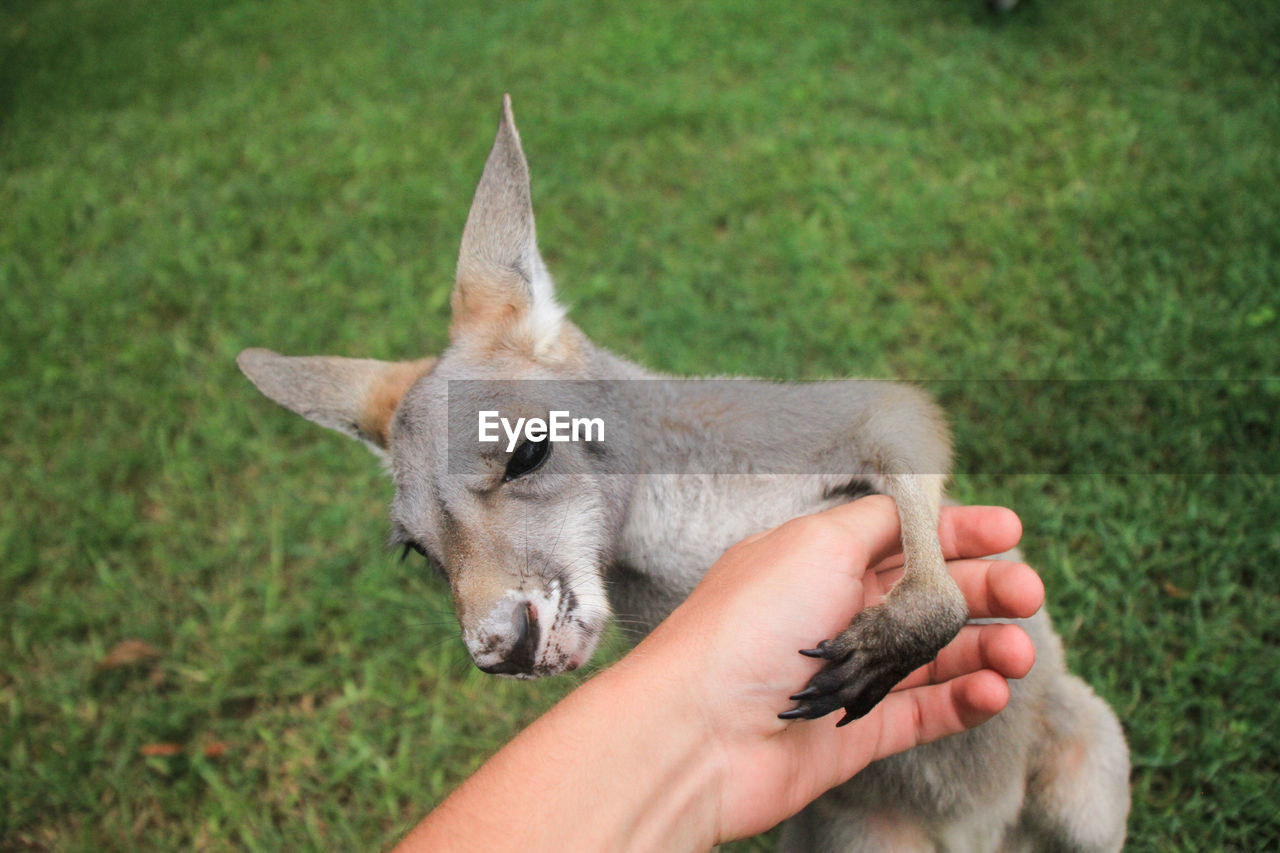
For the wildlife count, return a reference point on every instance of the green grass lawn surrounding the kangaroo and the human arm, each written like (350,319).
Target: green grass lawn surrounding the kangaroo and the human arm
(1084,190)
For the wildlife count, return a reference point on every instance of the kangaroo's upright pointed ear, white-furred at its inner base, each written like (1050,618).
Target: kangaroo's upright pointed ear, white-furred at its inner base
(504,291)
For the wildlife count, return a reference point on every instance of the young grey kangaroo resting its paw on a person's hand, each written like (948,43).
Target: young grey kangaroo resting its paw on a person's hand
(542,541)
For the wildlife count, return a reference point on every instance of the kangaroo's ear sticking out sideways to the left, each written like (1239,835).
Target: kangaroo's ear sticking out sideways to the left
(355,396)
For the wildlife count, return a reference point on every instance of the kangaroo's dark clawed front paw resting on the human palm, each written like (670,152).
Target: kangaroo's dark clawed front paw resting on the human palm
(879,650)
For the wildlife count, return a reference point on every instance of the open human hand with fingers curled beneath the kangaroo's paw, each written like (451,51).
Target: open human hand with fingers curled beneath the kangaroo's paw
(739,633)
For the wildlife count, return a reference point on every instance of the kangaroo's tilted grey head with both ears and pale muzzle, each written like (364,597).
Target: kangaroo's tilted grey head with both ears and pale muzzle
(522,531)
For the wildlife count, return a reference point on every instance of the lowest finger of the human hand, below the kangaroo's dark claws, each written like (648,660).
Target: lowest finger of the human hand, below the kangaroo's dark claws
(926,714)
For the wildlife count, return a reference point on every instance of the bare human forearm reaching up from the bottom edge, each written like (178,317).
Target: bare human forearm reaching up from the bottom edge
(606,769)
